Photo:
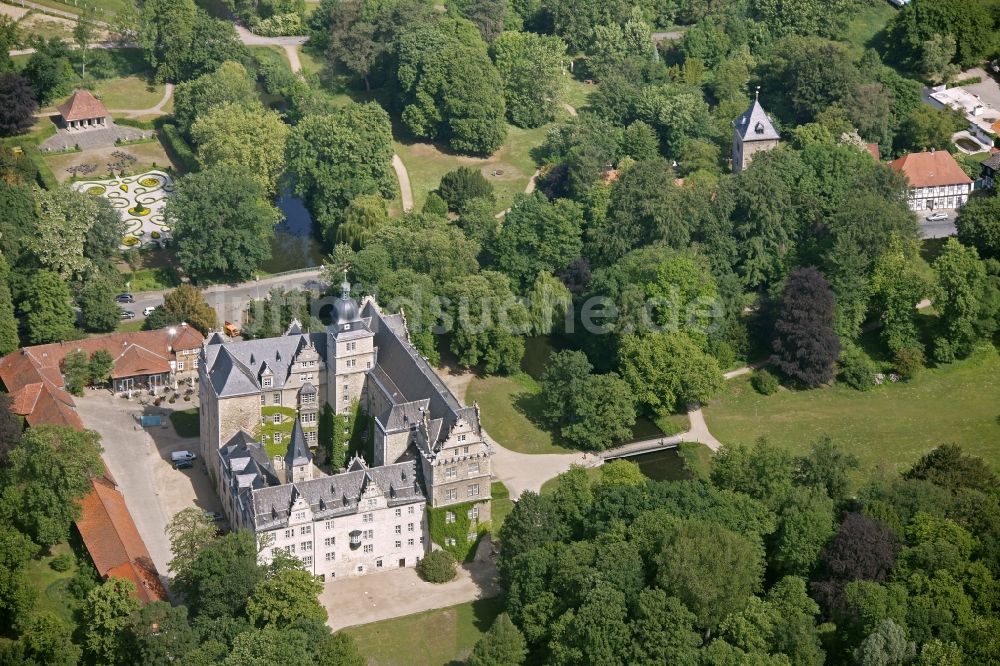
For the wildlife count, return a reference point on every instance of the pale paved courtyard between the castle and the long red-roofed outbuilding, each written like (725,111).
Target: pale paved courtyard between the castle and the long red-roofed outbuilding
(139,460)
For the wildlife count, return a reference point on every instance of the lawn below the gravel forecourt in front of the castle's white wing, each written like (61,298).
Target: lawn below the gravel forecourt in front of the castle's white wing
(434,638)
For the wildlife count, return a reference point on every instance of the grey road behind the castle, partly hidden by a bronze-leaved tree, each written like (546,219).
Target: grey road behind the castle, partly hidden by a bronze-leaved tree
(231,301)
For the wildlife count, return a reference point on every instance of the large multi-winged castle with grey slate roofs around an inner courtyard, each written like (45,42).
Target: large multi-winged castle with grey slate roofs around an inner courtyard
(261,402)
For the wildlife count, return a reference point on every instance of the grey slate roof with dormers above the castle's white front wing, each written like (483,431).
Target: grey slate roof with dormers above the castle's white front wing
(337,495)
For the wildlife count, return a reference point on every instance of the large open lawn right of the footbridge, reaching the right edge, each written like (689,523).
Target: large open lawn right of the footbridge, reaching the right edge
(893,424)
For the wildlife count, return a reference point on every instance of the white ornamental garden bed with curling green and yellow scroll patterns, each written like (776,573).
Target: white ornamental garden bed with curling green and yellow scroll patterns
(140,200)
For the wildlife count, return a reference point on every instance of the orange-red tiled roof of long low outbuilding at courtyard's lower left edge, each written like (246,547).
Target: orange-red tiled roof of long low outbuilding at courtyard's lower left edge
(113,541)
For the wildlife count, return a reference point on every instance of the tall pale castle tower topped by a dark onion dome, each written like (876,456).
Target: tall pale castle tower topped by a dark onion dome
(350,352)
